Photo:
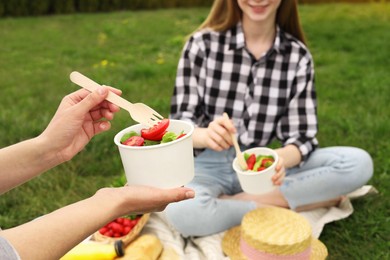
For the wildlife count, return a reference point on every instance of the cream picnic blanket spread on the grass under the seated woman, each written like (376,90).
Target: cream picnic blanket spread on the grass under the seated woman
(209,247)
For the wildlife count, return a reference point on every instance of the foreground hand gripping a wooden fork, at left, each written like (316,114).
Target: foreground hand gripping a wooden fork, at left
(80,116)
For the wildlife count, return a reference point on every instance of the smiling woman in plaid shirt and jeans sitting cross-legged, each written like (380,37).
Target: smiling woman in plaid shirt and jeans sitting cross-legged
(249,59)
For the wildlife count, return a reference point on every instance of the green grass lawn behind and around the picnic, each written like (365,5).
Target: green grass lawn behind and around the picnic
(138,52)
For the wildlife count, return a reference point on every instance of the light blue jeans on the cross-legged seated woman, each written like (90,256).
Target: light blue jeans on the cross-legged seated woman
(327,174)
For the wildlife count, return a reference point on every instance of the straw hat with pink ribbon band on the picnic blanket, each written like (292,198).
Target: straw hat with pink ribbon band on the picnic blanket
(272,233)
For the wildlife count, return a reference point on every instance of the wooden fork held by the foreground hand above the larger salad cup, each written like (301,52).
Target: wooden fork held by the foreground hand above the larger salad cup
(140,112)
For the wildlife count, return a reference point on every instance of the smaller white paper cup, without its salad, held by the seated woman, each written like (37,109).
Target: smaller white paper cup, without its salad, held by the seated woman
(257,182)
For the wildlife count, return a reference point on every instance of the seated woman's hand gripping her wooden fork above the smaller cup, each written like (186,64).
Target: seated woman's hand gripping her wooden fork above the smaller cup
(217,136)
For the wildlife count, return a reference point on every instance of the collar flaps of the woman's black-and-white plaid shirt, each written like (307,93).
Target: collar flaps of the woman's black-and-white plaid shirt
(237,39)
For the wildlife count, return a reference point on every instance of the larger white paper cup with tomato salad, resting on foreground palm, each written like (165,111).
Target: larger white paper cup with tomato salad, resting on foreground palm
(160,156)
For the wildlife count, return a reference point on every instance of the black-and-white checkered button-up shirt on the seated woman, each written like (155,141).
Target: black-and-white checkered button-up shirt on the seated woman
(267,98)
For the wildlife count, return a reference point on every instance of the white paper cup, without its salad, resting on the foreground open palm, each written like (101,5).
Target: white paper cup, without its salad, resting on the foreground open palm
(166,166)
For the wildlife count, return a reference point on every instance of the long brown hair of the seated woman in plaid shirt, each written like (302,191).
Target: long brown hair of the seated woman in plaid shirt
(225,14)
